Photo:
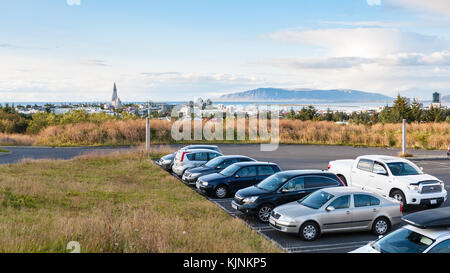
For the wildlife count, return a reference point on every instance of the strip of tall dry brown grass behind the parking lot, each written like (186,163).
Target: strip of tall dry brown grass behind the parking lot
(132,132)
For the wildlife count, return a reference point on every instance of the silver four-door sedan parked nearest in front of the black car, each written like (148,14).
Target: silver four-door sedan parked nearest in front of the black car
(336,210)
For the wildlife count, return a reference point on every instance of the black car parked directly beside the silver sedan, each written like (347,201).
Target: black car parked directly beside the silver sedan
(282,188)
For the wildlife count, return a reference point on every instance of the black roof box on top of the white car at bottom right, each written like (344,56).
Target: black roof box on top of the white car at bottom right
(435,218)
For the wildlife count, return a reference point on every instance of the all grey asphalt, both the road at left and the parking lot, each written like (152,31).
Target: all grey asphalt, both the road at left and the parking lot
(288,157)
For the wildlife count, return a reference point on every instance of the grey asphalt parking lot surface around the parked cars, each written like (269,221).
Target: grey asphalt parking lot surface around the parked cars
(290,157)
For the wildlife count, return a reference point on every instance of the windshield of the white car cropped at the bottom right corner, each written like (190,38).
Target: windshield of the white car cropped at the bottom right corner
(403,241)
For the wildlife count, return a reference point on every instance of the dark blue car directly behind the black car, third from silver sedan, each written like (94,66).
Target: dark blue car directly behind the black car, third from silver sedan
(235,177)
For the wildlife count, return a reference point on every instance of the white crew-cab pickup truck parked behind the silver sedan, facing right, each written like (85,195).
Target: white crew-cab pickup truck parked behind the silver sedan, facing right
(391,177)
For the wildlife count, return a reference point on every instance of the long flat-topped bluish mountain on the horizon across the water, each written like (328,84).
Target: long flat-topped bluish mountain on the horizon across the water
(277,94)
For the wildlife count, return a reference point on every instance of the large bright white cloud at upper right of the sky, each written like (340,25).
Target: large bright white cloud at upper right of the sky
(362,42)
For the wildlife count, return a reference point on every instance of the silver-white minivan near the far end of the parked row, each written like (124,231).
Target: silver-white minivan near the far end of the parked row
(186,159)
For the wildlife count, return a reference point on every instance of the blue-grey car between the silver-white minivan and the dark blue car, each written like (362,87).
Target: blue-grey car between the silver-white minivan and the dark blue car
(214,166)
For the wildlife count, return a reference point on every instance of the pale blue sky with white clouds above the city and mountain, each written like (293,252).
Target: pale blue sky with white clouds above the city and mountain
(176,50)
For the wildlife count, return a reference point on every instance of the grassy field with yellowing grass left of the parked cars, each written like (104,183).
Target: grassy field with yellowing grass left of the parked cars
(114,203)
